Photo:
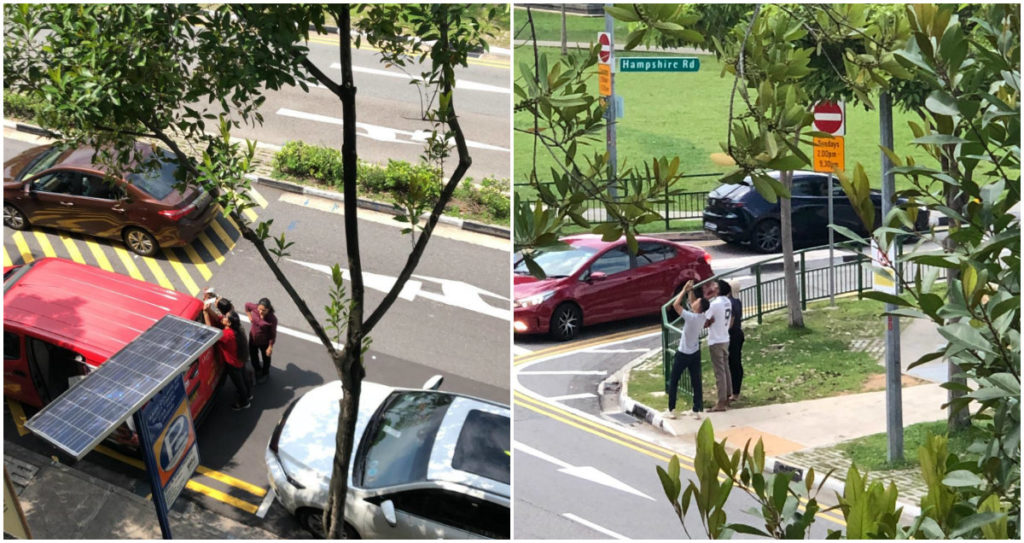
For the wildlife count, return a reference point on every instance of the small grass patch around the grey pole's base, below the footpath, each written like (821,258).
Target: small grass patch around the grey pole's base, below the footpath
(871,452)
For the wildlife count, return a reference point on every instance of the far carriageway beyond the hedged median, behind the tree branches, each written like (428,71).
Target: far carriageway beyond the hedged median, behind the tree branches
(390,110)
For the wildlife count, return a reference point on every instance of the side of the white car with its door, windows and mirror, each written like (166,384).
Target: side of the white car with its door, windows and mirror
(436,514)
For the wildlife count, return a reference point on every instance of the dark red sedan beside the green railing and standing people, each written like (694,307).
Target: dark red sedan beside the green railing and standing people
(594,282)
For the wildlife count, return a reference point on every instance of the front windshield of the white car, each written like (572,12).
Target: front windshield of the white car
(403,438)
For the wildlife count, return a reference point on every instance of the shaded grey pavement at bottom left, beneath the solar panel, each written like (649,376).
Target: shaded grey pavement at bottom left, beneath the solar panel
(62,504)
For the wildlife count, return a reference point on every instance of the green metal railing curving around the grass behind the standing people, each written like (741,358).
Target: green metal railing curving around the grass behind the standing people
(764,297)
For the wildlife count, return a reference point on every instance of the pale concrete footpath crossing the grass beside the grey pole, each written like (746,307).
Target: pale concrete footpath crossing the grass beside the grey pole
(801,434)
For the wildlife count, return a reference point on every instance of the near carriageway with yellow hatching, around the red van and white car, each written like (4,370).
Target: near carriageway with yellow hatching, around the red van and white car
(452,319)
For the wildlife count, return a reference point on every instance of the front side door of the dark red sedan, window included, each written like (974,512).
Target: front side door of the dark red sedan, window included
(612,297)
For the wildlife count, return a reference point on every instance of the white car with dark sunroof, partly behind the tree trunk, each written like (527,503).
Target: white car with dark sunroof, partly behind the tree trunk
(426,465)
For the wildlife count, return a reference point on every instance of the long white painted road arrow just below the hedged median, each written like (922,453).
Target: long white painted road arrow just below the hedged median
(455,294)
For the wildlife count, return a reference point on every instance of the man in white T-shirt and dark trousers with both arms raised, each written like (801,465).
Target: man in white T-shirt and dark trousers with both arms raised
(689,353)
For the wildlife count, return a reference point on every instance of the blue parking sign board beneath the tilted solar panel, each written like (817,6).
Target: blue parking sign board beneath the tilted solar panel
(167,437)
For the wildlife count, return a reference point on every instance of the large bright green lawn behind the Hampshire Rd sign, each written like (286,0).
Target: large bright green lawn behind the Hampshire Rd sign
(687,115)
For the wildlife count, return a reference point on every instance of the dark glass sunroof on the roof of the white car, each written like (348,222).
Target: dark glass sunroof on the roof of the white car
(484,446)
